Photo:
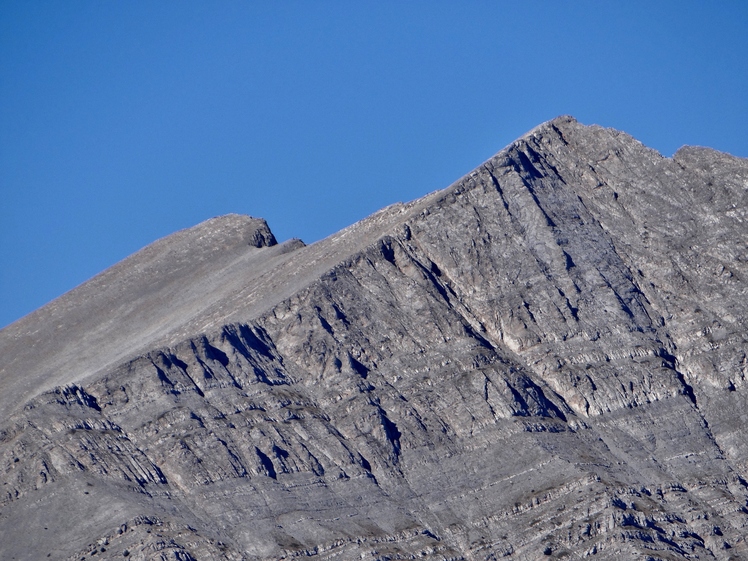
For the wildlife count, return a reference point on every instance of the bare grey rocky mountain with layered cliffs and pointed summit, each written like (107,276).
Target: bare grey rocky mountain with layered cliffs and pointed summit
(547,359)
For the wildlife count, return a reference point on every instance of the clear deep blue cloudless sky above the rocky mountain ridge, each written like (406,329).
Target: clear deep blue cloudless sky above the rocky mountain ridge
(124,121)
